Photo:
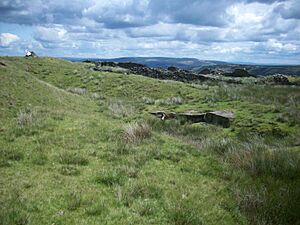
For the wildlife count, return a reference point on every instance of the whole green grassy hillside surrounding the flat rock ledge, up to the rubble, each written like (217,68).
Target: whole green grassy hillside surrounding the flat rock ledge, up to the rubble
(79,147)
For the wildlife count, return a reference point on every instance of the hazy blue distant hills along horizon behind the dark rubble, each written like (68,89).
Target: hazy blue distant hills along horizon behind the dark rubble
(198,65)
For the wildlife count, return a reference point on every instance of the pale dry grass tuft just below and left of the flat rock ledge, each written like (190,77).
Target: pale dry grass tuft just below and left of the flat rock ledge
(136,132)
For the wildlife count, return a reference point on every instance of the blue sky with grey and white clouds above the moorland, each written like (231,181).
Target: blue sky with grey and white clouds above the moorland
(256,31)
